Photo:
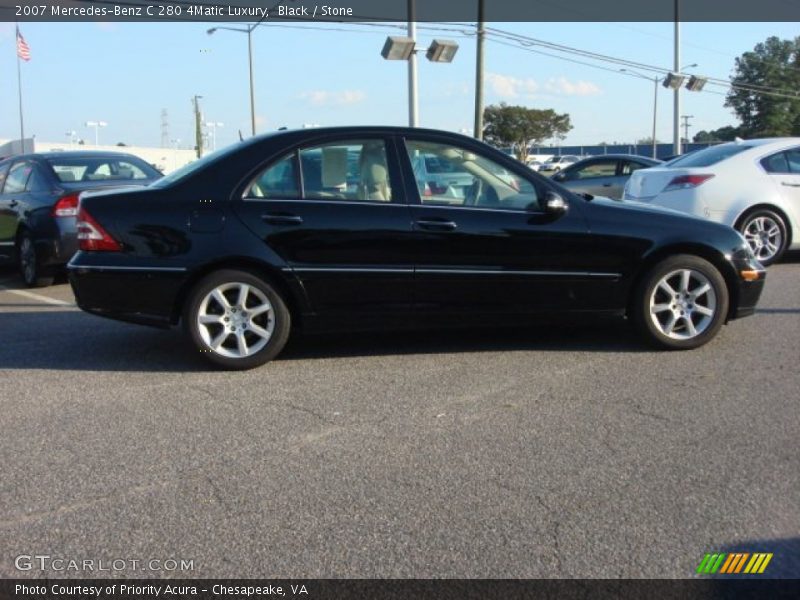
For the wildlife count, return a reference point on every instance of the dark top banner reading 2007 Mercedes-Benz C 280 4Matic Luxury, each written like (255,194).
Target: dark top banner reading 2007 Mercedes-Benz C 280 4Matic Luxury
(396,10)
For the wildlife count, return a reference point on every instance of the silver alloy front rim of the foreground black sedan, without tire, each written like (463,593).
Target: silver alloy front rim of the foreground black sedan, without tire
(683,304)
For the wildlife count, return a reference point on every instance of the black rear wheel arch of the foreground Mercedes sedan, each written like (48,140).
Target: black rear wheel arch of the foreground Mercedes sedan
(291,291)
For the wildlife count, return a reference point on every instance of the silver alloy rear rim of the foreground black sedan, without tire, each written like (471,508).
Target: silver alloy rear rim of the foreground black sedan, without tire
(235,320)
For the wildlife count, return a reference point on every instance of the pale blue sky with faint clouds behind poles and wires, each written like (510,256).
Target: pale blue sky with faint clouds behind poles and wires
(126,73)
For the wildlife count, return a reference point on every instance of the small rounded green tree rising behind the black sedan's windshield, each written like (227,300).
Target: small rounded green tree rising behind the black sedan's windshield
(519,126)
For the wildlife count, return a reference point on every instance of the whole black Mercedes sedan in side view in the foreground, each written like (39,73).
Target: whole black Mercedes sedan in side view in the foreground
(330,229)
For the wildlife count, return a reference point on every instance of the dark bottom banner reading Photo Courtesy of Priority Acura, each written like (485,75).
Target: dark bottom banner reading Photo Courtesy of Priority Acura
(405,589)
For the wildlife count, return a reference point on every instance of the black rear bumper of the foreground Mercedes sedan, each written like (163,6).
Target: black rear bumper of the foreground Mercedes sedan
(146,296)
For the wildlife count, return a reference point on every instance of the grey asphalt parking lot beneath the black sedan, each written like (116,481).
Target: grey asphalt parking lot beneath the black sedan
(551,452)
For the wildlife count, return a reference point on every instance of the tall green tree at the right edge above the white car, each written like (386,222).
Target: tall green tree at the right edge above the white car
(774,64)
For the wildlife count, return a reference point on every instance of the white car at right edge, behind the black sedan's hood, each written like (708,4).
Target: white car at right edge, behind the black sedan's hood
(751,185)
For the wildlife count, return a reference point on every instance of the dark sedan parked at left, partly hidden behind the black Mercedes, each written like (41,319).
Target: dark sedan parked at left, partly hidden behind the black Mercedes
(39,203)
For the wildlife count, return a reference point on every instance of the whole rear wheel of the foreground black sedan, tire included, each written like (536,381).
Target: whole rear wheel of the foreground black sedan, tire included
(235,321)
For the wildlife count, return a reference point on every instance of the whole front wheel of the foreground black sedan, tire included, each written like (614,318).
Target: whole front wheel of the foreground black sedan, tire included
(654,320)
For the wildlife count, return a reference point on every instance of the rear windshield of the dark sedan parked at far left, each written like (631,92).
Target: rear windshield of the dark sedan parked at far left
(70,169)
